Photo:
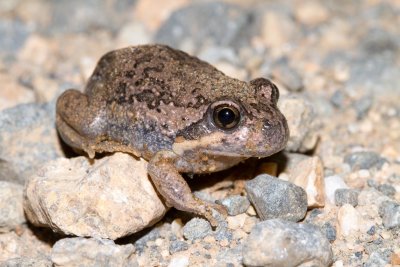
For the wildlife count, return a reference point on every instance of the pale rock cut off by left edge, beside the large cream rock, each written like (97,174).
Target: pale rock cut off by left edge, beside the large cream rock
(11,208)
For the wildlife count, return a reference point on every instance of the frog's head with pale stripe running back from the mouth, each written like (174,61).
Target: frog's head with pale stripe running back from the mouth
(246,123)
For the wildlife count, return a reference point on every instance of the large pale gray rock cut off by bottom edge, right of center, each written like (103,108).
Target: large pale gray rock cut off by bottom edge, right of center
(281,243)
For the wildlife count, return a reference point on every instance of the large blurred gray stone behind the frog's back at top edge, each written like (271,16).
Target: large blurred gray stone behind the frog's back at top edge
(211,23)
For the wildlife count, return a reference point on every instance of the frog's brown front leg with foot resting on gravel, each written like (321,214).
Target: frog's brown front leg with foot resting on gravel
(164,172)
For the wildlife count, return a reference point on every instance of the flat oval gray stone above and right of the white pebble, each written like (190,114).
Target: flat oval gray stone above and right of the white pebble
(364,160)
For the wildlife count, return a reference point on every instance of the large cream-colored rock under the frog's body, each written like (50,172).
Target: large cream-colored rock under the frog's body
(110,198)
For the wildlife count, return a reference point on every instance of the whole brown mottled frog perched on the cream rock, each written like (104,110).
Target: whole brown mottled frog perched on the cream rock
(179,113)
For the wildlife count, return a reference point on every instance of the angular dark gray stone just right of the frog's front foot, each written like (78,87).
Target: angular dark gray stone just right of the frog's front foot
(275,198)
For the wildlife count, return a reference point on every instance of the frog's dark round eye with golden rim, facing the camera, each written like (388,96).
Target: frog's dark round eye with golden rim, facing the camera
(226,116)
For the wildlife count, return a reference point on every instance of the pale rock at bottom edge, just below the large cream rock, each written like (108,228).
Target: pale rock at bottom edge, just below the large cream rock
(80,251)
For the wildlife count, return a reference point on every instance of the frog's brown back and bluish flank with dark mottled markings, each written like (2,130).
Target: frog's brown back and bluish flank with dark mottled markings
(152,92)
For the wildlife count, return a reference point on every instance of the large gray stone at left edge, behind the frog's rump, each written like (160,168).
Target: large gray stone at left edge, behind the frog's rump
(28,139)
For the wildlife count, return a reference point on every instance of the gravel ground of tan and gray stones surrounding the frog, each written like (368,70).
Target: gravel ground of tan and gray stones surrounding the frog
(337,199)
